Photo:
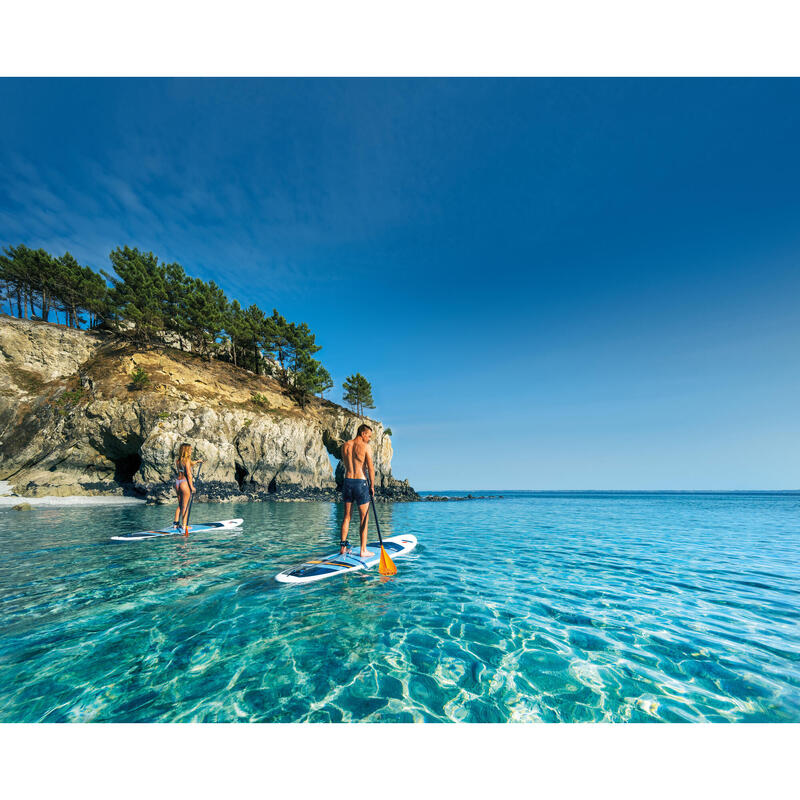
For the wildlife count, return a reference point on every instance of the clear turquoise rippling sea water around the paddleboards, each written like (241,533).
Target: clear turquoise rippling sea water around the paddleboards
(557,607)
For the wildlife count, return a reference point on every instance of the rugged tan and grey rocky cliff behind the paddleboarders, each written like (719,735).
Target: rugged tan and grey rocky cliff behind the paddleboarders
(71,423)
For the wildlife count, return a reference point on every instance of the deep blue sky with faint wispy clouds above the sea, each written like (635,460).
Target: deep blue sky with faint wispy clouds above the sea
(550,283)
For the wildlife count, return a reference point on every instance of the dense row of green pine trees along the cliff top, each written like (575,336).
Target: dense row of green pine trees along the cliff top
(150,302)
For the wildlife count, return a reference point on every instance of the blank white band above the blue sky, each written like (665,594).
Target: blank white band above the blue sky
(414,37)
